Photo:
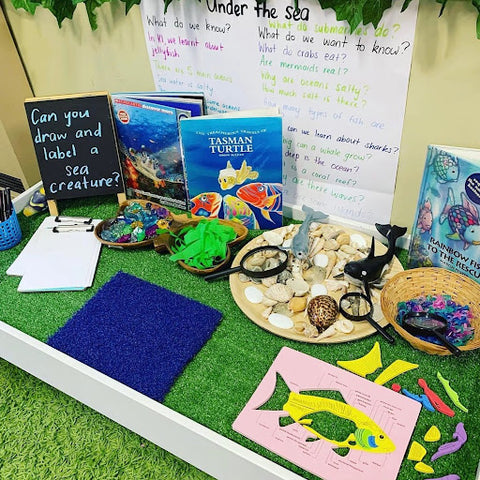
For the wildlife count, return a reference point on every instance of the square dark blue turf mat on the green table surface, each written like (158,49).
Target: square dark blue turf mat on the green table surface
(138,333)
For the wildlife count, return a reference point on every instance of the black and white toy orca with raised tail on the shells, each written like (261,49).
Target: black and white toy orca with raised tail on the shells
(371,268)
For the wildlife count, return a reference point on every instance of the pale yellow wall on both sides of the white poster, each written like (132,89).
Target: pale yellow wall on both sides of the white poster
(443,97)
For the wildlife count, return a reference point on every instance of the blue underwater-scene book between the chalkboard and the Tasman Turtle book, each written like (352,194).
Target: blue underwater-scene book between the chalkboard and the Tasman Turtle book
(150,153)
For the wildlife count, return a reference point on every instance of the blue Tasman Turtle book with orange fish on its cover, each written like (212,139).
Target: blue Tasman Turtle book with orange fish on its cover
(234,166)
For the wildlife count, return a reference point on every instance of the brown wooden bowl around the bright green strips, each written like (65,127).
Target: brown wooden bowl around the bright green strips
(165,242)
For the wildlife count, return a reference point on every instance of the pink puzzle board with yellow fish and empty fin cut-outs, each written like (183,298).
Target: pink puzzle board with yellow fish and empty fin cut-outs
(328,421)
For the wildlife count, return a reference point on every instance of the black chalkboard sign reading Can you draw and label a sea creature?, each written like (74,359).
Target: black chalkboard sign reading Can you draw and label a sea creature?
(75,143)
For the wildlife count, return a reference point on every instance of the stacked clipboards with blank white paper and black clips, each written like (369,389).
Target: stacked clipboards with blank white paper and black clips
(61,255)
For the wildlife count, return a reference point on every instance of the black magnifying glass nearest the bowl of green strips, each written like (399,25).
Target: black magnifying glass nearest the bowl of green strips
(260,262)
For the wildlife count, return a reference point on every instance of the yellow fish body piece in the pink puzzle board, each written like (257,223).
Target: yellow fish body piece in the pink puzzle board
(302,409)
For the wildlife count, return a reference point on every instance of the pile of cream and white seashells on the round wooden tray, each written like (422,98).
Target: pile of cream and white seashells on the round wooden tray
(304,297)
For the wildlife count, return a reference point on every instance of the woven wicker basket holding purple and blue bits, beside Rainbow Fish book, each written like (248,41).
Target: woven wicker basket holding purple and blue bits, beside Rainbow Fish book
(431,281)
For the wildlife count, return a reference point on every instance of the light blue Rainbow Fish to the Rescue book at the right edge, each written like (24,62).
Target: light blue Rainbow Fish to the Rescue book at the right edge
(446,230)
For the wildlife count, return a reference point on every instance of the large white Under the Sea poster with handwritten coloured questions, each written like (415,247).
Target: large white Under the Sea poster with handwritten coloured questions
(341,93)
